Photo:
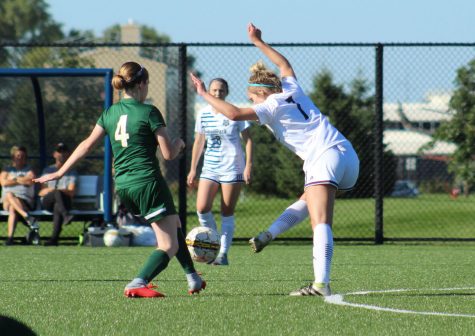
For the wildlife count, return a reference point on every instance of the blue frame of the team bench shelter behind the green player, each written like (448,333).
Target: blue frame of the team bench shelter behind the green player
(34,74)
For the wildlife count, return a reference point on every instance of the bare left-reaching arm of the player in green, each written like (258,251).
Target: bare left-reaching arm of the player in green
(84,147)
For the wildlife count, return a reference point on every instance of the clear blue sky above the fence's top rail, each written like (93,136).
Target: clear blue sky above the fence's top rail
(281,20)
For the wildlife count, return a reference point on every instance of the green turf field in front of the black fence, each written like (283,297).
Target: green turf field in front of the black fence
(71,290)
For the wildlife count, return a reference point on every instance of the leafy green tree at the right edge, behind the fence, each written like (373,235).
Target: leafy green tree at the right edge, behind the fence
(460,130)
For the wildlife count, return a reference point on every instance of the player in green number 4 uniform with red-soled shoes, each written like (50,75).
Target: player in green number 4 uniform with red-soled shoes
(135,130)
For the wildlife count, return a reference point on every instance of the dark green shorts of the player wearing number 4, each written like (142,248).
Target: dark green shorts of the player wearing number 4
(153,200)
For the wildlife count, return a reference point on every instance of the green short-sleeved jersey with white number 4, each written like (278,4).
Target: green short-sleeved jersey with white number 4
(131,126)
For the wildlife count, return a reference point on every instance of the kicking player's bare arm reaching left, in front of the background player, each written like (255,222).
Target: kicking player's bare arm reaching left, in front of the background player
(230,111)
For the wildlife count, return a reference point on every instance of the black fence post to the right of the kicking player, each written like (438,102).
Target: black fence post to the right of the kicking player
(378,148)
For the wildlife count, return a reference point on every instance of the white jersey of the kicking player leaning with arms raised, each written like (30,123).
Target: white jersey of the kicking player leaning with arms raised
(297,122)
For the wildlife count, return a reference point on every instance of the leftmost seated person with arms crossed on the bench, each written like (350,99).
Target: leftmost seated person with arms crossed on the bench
(18,190)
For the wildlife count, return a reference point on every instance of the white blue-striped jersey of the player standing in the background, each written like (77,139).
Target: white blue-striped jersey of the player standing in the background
(224,153)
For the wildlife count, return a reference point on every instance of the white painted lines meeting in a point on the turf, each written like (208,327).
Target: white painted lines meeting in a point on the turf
(338,299)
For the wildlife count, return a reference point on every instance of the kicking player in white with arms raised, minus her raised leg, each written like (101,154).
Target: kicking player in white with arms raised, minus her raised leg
(330,162)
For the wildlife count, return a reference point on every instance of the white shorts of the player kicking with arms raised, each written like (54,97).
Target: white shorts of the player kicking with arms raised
(338,166)
